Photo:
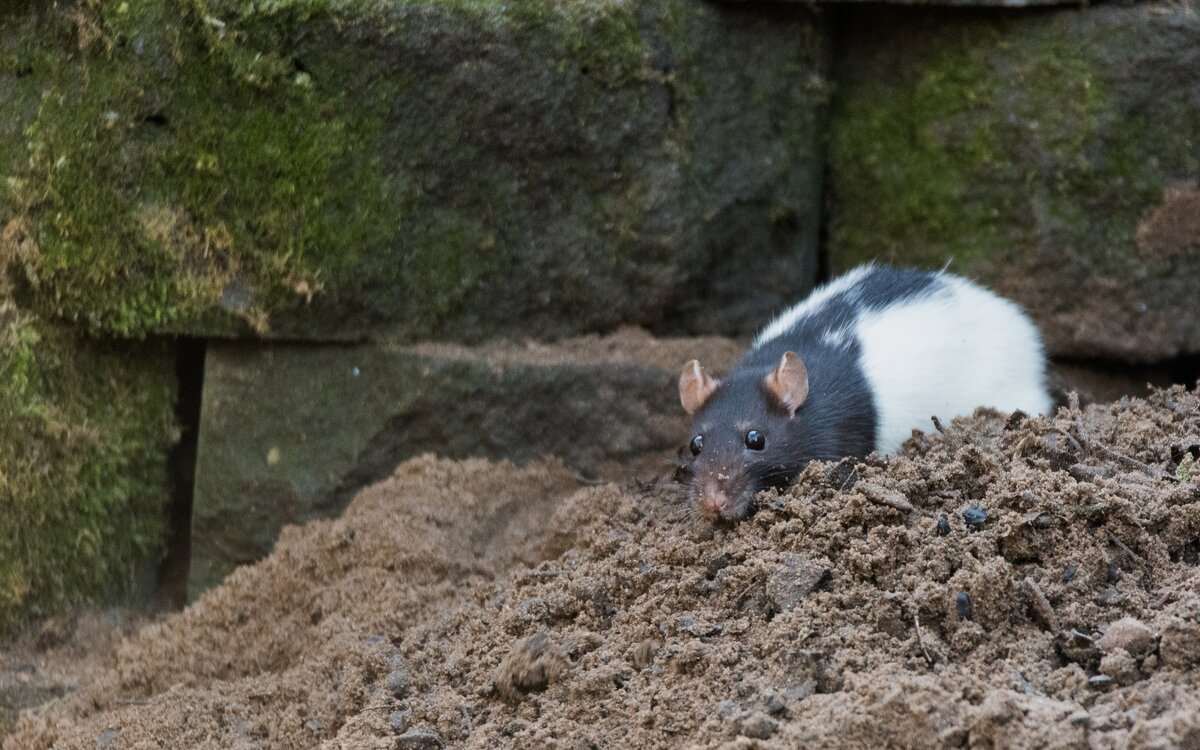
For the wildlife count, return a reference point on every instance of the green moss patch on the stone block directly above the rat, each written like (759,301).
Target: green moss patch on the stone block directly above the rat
(915,154)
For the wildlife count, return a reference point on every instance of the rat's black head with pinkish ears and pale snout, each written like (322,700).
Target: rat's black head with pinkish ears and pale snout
(745,439)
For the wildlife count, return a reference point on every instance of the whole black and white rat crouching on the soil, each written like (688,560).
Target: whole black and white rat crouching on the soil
(854,369)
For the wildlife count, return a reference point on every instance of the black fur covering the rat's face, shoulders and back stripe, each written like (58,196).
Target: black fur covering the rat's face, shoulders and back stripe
(838,419)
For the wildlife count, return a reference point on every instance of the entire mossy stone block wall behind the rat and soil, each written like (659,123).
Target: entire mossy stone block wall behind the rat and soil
(311,188)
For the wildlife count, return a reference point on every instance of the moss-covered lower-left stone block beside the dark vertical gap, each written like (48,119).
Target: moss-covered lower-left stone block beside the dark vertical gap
(85,434)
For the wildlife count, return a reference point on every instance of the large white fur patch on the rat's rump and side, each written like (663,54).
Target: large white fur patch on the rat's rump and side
(946,355)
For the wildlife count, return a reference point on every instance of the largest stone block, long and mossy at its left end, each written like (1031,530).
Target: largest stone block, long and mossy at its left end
(394,170)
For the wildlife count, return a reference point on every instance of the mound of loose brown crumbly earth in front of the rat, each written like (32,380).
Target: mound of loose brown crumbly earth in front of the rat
(481,605)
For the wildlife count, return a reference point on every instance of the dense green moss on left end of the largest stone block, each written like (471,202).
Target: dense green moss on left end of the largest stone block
(185,182)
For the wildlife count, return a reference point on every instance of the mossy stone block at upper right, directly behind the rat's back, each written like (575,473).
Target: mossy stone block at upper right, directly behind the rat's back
(1055,157)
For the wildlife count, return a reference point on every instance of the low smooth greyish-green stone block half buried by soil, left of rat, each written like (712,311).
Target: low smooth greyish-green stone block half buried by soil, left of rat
(291,433)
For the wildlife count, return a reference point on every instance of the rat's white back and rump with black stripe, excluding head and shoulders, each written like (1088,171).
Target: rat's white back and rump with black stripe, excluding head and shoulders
(928,345)
